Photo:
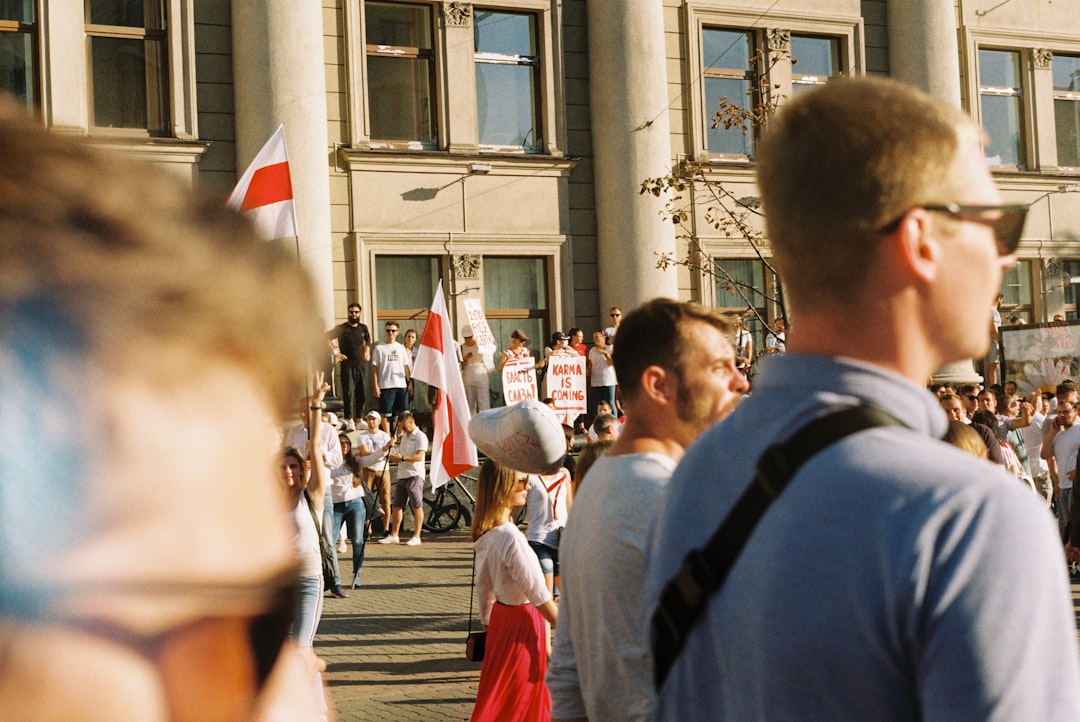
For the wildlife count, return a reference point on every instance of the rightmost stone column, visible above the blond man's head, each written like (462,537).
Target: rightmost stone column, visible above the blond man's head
(924,49)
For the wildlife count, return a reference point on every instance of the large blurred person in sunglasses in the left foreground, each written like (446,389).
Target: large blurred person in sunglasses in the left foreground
(148,343)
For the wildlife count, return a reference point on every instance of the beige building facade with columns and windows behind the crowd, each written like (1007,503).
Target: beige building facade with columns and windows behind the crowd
(501,146)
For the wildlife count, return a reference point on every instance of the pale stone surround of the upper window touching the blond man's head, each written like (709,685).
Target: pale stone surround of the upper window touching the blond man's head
(771,31)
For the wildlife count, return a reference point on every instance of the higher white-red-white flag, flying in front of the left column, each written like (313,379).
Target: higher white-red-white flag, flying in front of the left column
(265,192)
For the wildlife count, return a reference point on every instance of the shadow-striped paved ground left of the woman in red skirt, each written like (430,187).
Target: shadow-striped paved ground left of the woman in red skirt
(396,648)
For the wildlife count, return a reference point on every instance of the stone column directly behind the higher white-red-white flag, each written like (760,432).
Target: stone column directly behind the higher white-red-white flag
(279,78)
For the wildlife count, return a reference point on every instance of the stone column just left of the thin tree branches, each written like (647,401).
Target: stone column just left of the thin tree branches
(631,143)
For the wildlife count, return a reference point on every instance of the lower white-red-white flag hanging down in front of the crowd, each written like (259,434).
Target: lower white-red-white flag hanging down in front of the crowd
(453,453)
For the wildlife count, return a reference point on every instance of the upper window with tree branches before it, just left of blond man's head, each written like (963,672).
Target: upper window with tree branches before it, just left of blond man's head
(728,79)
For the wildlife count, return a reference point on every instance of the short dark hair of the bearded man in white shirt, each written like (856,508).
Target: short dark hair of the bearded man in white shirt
(656,334)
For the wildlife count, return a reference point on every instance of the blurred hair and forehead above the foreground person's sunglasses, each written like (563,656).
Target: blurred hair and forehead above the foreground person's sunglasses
(136,316)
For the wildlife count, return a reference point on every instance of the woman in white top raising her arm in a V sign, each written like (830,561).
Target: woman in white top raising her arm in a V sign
(304,485)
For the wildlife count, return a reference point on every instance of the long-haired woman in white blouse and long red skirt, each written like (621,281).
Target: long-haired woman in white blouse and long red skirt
(516,605)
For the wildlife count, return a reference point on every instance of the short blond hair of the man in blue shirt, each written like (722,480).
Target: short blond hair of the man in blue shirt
(840,164)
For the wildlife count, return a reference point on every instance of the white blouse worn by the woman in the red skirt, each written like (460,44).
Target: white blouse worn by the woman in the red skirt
(507,571)
